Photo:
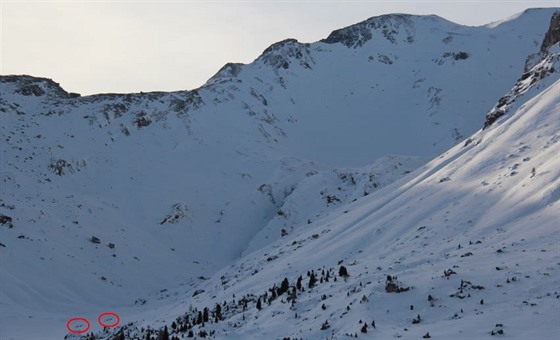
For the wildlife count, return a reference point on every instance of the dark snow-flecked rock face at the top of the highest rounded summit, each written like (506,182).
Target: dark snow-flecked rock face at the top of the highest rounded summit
(390,27)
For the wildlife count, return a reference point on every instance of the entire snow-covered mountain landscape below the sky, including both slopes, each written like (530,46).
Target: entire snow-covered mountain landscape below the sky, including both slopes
(157,205)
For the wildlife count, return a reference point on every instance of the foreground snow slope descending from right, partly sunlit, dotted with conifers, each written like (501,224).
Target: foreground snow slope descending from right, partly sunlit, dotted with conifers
(470,240)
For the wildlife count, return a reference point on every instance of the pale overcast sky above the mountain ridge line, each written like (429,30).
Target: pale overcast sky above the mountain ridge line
(130,46)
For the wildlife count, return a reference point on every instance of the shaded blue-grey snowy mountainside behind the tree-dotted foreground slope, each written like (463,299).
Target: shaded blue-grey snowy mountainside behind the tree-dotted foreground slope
(177,185)
